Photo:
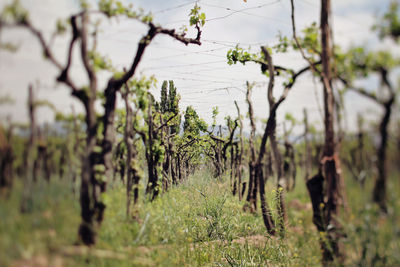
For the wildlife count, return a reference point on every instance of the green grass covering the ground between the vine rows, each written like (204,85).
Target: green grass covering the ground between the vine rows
(198,223)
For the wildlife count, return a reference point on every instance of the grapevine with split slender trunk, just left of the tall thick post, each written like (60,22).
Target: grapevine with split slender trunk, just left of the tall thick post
(264,59)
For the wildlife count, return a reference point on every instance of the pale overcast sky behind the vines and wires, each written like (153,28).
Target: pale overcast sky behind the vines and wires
(201,74)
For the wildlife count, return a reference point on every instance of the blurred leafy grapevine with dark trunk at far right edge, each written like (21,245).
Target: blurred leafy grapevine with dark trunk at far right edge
(358,63)
